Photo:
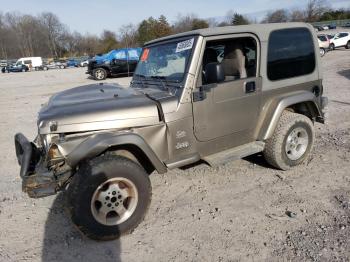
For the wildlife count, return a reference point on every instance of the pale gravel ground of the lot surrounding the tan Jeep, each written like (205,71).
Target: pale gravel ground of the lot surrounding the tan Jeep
(243,210)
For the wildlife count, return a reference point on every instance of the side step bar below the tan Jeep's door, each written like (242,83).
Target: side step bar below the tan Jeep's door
(235,153)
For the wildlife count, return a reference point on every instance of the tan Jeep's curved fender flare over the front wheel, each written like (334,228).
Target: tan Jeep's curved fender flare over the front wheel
(98,143)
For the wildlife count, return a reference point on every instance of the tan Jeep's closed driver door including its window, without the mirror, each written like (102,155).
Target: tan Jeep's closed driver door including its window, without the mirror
(231,106)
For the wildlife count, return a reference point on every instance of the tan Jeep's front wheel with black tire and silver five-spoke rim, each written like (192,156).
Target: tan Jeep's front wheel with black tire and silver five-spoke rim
(95,180)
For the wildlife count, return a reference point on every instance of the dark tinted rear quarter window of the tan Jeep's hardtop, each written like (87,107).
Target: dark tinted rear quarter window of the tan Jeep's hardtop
(291,53)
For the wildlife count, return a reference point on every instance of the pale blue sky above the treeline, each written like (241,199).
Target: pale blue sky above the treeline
(93,16)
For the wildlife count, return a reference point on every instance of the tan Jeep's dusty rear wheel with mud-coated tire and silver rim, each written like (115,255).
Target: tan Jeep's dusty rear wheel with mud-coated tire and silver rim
(281,151)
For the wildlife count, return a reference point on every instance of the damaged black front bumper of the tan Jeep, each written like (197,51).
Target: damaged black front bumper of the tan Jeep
(37,180)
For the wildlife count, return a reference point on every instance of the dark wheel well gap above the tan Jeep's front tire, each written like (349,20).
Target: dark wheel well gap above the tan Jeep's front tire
(133,153)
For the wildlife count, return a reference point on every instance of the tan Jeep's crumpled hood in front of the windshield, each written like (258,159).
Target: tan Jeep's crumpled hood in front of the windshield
(99,107)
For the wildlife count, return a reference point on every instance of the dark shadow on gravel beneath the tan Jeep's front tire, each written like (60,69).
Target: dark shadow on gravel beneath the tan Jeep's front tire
(63,241)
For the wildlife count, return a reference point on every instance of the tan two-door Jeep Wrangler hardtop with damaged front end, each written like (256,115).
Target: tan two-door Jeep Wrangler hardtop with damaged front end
(213,95)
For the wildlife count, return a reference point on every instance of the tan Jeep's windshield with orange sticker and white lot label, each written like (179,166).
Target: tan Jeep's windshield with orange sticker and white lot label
(165,61)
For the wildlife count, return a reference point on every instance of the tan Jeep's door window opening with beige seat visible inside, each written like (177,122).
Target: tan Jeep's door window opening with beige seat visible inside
(237,57)
